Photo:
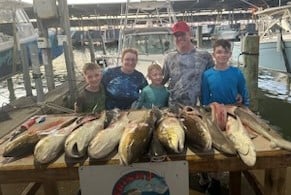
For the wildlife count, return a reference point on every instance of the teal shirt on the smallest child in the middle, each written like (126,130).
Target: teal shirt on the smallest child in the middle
(153,96)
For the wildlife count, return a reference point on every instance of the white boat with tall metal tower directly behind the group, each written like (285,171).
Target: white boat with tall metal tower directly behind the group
(146,26)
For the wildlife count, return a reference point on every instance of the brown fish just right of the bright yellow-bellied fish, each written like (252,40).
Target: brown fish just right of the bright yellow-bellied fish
(196,131)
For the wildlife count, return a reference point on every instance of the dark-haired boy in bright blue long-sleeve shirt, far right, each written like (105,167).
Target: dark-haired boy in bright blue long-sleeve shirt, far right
(223,83)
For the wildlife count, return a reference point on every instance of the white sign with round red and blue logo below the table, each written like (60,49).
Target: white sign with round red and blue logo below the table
(162,178)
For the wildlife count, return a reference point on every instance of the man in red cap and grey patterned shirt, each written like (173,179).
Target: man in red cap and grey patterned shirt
(183,67)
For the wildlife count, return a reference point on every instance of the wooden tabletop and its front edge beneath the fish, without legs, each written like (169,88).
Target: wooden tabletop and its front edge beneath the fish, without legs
(267,157)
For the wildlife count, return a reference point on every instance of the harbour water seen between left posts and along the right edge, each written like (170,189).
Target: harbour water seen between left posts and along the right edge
(274,93)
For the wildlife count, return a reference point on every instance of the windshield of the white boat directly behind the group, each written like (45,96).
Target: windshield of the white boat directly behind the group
(147,44)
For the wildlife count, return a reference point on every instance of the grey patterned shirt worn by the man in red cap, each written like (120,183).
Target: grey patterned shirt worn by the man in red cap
(183,72)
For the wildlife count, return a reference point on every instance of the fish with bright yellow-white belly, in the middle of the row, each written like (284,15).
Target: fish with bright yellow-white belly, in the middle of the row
(170,132)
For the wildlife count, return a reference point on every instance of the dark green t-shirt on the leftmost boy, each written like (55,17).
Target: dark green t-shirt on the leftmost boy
(88,100)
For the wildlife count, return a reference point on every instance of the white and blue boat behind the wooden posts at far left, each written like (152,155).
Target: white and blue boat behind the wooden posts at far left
(12,12)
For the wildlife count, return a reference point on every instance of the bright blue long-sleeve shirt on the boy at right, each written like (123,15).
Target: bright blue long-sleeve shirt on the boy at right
(223,86)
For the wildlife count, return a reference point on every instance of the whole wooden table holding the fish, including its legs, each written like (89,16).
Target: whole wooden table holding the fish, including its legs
(273,161)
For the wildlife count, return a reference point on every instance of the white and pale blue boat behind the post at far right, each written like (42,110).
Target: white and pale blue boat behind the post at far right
(274,29)
